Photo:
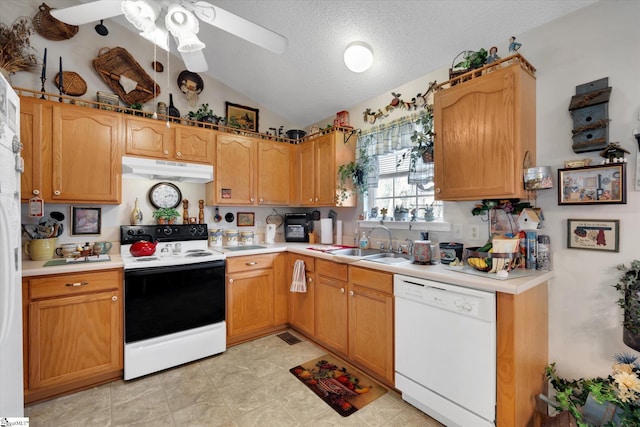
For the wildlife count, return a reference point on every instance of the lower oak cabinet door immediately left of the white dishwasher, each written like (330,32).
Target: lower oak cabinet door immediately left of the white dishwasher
(371,330)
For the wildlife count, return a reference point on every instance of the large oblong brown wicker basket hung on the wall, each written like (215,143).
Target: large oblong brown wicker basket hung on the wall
(113,63)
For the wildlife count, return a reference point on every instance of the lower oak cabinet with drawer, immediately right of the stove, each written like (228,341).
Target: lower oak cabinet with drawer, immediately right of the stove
(255,305)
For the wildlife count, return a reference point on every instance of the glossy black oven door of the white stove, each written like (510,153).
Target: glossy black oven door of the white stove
(164,300)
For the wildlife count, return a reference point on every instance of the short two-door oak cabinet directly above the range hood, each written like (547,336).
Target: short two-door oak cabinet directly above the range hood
(152,138)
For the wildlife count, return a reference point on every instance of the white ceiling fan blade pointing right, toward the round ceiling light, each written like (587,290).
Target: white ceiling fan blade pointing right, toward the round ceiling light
(237,26)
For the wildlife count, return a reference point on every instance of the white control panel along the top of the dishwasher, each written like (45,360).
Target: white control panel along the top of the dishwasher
(458,299)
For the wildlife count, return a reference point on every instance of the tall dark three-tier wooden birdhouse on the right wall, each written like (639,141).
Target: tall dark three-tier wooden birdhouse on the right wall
(590,111)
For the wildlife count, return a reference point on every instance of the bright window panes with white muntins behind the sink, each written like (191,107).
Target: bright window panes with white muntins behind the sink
(394,189)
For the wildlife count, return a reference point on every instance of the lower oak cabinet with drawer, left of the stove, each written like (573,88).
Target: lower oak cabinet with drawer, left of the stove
(73,332)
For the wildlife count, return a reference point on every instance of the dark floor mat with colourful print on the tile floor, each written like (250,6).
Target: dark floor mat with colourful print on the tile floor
(341,386)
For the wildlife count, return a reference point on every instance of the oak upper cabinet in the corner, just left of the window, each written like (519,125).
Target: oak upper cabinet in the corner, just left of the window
(317,169)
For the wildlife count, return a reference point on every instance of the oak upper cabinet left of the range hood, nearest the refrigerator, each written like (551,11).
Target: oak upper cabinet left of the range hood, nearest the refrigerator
(72,154)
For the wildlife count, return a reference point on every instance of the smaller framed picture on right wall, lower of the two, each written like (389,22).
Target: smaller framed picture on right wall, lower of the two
(594,234)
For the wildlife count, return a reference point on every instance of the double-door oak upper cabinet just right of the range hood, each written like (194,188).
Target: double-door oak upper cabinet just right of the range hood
(250,171)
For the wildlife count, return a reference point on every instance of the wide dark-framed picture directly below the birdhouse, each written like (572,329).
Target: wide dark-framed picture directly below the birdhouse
(603,184)
